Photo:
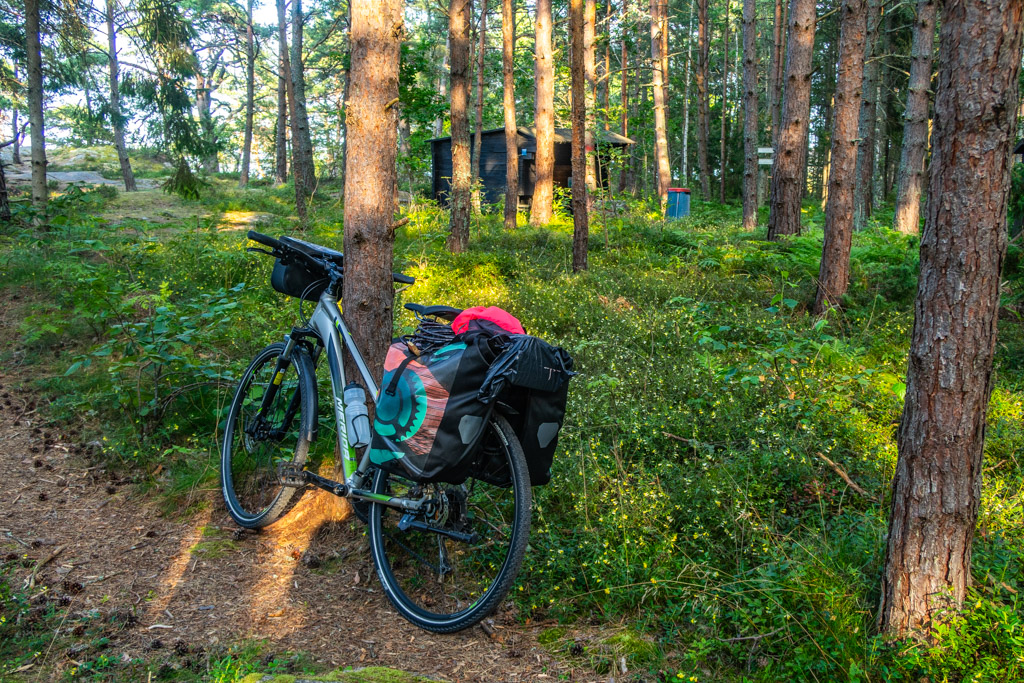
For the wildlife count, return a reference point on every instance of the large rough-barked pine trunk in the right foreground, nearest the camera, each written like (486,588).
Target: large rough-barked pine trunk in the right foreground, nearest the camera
(936,490)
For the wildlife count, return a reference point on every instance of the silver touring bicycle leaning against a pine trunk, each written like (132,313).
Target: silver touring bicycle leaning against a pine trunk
(447,556)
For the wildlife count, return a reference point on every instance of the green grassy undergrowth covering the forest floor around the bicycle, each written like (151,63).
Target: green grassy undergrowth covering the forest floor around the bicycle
(689,500)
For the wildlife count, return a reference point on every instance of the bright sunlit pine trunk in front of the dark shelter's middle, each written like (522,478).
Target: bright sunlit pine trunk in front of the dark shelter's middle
(544,118)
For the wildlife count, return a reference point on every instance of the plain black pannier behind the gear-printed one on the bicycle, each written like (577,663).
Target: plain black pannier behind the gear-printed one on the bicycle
(531,377)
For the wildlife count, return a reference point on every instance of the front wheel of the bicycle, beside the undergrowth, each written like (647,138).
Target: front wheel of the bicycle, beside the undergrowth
(257,442)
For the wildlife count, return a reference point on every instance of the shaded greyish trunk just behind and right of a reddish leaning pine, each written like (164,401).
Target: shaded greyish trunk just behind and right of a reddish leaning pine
(863,198)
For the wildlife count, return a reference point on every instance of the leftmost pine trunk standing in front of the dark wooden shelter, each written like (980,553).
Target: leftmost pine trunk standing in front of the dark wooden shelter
(460,15)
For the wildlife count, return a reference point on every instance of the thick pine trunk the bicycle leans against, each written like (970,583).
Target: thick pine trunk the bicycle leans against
(376,35)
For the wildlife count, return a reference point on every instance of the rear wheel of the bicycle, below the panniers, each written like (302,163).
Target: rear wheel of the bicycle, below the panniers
(450,567)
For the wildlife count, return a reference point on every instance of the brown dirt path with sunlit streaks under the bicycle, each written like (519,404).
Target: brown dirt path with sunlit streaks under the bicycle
(172,588)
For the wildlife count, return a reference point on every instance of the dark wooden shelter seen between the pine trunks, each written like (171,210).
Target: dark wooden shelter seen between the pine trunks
(493,162)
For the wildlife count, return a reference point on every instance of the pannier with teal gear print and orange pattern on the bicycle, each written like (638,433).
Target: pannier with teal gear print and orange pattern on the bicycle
(430,417)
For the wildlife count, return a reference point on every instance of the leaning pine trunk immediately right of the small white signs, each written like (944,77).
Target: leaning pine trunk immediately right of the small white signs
(788,182)
